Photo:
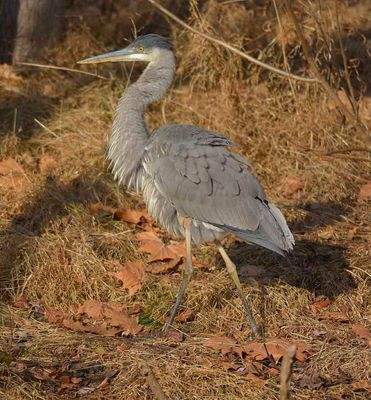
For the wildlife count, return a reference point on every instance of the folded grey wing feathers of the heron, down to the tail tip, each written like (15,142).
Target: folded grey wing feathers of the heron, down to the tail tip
(195,171)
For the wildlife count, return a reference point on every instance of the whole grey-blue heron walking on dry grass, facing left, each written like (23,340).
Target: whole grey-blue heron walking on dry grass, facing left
(192,184)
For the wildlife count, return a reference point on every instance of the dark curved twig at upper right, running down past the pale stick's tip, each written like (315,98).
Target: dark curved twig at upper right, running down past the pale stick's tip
(313,67)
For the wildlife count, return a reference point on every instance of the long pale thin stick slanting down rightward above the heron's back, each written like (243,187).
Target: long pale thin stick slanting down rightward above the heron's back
(229,47)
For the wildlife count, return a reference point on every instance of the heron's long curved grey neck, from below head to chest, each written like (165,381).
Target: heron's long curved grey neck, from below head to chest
(129,132)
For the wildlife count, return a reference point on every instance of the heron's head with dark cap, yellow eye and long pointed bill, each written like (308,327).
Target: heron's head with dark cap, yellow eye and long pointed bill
(145,48)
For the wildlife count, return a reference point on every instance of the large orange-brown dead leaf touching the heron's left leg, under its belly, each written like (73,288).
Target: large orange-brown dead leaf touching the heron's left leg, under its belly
(152,244)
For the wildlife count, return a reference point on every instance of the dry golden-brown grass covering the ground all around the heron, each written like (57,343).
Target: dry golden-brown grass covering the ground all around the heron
(55,252)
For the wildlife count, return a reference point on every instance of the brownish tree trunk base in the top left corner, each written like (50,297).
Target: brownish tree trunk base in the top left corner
(38,22)
